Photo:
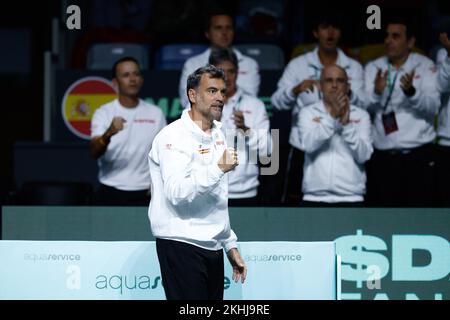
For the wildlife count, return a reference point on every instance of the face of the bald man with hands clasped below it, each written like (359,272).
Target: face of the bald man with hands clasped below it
(333,81)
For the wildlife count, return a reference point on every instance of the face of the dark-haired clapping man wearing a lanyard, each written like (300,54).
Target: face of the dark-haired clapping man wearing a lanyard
(396,43)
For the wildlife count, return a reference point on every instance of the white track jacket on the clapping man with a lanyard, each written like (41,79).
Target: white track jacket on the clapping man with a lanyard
(414,115)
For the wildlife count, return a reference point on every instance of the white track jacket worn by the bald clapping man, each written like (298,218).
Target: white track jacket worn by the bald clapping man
(334,154)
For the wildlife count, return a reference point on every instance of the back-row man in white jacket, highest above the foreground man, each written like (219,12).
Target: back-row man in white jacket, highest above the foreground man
(220,33)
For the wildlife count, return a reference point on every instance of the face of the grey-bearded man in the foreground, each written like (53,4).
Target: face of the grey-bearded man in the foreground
(208,98)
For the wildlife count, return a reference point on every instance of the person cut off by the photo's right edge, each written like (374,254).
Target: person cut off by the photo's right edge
(443,144)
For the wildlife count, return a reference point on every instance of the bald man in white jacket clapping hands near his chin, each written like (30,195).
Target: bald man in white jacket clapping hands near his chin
(337,142)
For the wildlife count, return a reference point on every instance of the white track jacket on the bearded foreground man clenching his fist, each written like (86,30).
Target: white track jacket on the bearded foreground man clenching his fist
(189,191)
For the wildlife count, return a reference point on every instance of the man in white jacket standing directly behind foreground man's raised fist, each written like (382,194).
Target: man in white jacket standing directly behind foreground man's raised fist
(246,125)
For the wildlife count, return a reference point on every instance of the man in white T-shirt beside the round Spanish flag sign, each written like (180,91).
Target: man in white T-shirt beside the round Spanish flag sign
(122,132)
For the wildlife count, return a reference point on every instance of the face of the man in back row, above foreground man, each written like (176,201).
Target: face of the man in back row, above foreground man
(221,32)
